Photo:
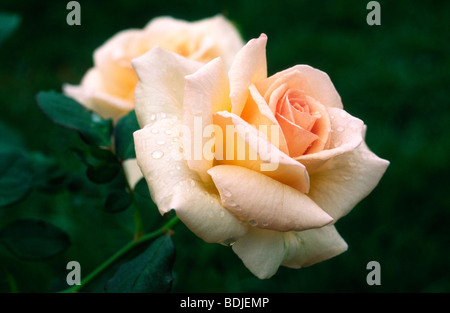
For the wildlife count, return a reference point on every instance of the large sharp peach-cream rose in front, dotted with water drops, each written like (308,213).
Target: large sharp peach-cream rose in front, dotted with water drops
(282,216)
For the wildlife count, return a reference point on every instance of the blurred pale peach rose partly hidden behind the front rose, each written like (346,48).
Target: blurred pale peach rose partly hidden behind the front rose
(108,87)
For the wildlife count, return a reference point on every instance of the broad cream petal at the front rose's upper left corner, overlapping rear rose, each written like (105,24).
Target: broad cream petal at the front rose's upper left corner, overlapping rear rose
(161,84)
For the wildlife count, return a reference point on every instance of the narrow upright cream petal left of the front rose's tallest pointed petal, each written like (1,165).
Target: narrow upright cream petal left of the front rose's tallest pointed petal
(206,92)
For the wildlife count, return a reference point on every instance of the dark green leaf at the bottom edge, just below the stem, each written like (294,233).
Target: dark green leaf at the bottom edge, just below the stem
(151,271)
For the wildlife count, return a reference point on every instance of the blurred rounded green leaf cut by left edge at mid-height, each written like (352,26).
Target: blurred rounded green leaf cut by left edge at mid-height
(16,177)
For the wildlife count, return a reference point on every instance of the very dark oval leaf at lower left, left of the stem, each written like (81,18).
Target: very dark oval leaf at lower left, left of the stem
(34,240)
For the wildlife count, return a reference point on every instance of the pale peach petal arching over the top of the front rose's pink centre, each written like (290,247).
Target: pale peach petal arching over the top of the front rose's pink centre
(313,82)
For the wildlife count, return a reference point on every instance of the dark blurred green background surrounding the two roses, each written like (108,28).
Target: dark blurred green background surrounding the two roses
(395,77)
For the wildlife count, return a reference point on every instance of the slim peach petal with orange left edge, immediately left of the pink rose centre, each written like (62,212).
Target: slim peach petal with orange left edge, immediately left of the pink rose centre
(258,113)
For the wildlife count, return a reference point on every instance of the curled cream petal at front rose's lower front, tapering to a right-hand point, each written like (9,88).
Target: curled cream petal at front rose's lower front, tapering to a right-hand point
(272,205)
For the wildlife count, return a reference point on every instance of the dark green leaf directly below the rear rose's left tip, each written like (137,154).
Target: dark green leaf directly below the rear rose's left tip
(68,113)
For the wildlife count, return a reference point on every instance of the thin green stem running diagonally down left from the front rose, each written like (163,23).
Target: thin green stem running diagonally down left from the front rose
(128,247)
